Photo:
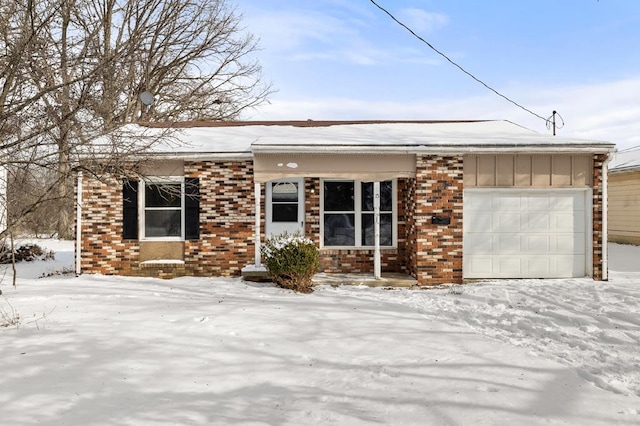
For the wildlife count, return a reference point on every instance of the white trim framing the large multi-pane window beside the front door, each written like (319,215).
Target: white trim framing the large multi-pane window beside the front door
(358,215)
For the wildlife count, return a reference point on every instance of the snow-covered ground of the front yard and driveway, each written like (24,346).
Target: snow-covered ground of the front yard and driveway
(98,350)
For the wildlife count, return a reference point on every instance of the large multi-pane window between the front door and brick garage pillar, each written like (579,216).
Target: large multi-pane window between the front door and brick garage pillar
(348,216)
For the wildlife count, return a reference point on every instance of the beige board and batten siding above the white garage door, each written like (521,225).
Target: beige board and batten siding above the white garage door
(528,170)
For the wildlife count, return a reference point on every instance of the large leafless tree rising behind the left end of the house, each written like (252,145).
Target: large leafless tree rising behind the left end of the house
(73,71)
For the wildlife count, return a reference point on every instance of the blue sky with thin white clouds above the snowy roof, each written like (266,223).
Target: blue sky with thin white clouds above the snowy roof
(346,59)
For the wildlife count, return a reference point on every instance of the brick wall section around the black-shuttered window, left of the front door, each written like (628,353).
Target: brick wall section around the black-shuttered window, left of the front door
(227,218)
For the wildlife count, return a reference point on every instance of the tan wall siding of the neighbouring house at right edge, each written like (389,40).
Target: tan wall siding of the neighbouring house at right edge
(624,207)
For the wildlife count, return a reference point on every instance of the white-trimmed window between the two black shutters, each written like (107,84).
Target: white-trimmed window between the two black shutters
(163,206)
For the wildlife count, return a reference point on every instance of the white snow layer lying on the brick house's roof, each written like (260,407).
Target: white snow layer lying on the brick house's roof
(250,137)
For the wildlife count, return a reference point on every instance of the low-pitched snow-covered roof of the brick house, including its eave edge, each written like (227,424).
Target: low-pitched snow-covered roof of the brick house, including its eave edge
(249,137)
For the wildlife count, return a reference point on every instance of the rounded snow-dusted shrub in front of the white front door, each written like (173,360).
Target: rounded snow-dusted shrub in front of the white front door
(291,261)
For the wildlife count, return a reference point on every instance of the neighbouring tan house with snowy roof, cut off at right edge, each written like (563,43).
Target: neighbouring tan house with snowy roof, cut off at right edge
(624,197)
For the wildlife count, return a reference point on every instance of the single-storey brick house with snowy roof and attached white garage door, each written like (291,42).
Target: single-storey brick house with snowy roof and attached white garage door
(458,200)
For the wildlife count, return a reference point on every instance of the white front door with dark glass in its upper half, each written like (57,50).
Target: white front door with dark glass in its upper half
(285,206)
